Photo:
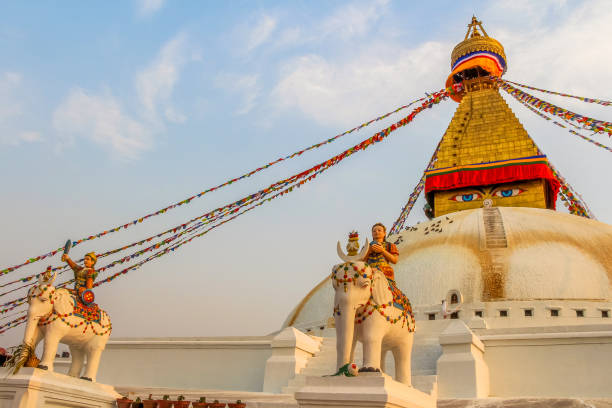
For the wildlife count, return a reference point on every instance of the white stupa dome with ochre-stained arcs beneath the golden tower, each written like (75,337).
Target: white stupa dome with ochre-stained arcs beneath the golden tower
(493,254)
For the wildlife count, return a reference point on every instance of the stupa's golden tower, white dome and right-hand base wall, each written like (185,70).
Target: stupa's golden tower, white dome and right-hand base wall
(497,264)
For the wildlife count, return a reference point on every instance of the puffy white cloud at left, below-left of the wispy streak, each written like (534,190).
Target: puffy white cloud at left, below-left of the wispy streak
(100,118)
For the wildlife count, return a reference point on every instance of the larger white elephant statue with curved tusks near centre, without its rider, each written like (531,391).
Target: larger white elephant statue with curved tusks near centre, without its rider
(370,309)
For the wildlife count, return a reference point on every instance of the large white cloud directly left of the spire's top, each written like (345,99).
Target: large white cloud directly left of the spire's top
(345,90)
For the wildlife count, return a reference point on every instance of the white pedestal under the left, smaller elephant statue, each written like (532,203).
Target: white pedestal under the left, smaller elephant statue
(33,388)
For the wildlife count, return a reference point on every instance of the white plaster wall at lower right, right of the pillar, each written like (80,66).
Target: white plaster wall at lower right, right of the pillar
(572,362)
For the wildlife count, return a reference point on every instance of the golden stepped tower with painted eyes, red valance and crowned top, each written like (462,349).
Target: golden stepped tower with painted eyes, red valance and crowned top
(486,158)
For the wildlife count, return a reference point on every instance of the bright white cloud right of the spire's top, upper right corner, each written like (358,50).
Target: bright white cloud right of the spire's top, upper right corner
(567,55)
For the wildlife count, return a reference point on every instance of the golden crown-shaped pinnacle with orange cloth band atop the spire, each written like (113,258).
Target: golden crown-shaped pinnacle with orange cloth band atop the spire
(478,55)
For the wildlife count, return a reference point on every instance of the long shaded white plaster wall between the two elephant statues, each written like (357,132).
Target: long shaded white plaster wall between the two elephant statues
(221,363)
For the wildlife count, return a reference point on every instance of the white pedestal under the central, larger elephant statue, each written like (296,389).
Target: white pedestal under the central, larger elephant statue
(366,390)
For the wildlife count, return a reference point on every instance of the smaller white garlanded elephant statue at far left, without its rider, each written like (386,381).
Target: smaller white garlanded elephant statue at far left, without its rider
(54,315)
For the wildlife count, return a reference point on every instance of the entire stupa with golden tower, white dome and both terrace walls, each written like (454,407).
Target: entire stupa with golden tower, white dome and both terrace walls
(512,299)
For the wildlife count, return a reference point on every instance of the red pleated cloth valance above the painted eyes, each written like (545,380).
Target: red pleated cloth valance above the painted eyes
(498,175)
